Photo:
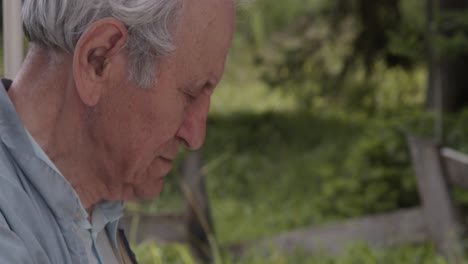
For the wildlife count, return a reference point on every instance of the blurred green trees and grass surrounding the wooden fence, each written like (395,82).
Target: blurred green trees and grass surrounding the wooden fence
(309,124)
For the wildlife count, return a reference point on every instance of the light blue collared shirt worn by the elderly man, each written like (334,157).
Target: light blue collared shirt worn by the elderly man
(41,216)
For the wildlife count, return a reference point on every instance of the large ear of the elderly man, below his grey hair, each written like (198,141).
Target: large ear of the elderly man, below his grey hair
(92,56)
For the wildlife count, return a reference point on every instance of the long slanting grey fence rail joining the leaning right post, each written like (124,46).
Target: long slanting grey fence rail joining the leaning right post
(400,227)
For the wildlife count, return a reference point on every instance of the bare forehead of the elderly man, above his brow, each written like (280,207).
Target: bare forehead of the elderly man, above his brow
(203,36)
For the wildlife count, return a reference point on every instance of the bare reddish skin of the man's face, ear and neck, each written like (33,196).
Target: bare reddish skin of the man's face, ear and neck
(110,138)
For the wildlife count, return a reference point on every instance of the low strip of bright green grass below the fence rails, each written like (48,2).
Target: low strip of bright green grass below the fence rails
(357,253)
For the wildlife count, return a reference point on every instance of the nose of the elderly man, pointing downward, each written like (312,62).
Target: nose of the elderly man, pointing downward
(193,129)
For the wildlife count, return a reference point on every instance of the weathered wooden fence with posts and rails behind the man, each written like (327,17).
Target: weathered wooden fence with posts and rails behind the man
(438,219)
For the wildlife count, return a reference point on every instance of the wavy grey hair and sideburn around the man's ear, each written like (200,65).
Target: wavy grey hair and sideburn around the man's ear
(58,24)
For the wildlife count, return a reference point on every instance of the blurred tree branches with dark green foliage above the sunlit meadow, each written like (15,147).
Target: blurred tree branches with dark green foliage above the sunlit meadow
(335,52)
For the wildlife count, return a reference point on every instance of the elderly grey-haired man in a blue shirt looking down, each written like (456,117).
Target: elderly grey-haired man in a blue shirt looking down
(108,92)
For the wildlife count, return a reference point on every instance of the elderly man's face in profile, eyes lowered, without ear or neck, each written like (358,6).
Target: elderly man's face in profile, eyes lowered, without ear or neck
(142,129)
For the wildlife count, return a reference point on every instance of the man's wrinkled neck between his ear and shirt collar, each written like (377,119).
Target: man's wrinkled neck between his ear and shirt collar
(42,96)
